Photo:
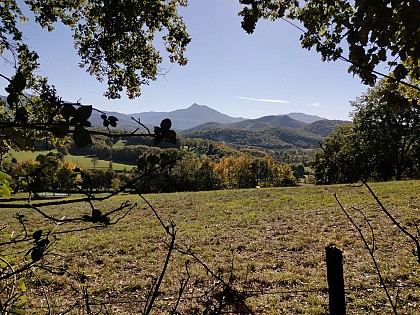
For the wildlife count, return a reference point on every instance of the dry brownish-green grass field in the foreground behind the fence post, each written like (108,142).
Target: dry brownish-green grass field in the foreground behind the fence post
(269,243)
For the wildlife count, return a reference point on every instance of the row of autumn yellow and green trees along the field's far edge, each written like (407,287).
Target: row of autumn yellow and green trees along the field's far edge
(165,170)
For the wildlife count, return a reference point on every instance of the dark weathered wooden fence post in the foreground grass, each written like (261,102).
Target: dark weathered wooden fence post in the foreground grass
(337,302)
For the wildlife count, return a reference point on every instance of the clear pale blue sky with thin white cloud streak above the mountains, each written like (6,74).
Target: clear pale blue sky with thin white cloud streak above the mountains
(266,73)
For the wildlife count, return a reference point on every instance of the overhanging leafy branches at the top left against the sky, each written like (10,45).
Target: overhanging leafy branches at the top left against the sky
(114,39)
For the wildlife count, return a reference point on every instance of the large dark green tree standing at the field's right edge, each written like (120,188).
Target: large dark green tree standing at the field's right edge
(382,142)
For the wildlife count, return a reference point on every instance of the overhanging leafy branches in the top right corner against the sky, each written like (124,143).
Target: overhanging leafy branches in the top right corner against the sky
(370,35)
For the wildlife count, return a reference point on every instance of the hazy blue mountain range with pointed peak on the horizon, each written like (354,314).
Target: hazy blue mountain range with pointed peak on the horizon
(294,130)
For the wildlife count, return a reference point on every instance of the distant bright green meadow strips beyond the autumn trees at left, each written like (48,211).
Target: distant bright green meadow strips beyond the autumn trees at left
(82,161)
